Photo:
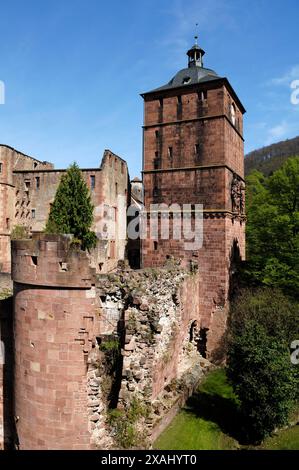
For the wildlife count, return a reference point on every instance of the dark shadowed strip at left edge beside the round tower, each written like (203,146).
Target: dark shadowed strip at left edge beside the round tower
(6,336)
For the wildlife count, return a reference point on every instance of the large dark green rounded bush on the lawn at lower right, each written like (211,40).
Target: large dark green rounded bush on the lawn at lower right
(262,326)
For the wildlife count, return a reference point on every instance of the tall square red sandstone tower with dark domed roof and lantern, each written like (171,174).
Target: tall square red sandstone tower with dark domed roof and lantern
(193,154)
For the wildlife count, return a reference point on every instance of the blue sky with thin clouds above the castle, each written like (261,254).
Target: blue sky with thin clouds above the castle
(73,69)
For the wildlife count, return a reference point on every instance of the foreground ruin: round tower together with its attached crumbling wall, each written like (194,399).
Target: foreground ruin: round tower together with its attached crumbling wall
(87,344)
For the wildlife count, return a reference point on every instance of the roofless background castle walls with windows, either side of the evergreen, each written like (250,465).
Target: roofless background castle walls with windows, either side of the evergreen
(28,187)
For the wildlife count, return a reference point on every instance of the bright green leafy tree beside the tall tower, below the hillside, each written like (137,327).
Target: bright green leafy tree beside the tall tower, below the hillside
(272,232)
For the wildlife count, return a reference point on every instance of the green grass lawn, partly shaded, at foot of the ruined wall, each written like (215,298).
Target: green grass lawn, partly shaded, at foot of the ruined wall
(210,422)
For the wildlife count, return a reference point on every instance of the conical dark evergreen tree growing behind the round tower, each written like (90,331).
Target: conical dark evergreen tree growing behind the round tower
(72,209)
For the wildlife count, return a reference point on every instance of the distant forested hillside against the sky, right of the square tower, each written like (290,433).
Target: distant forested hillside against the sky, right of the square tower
(269,159)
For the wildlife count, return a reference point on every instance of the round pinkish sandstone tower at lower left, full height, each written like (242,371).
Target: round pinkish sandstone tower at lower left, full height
(54,328)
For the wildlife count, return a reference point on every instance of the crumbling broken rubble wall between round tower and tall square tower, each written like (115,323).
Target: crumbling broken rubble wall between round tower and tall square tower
(156,312)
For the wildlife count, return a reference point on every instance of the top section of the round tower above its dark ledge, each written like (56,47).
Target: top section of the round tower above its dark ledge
(51,260)
